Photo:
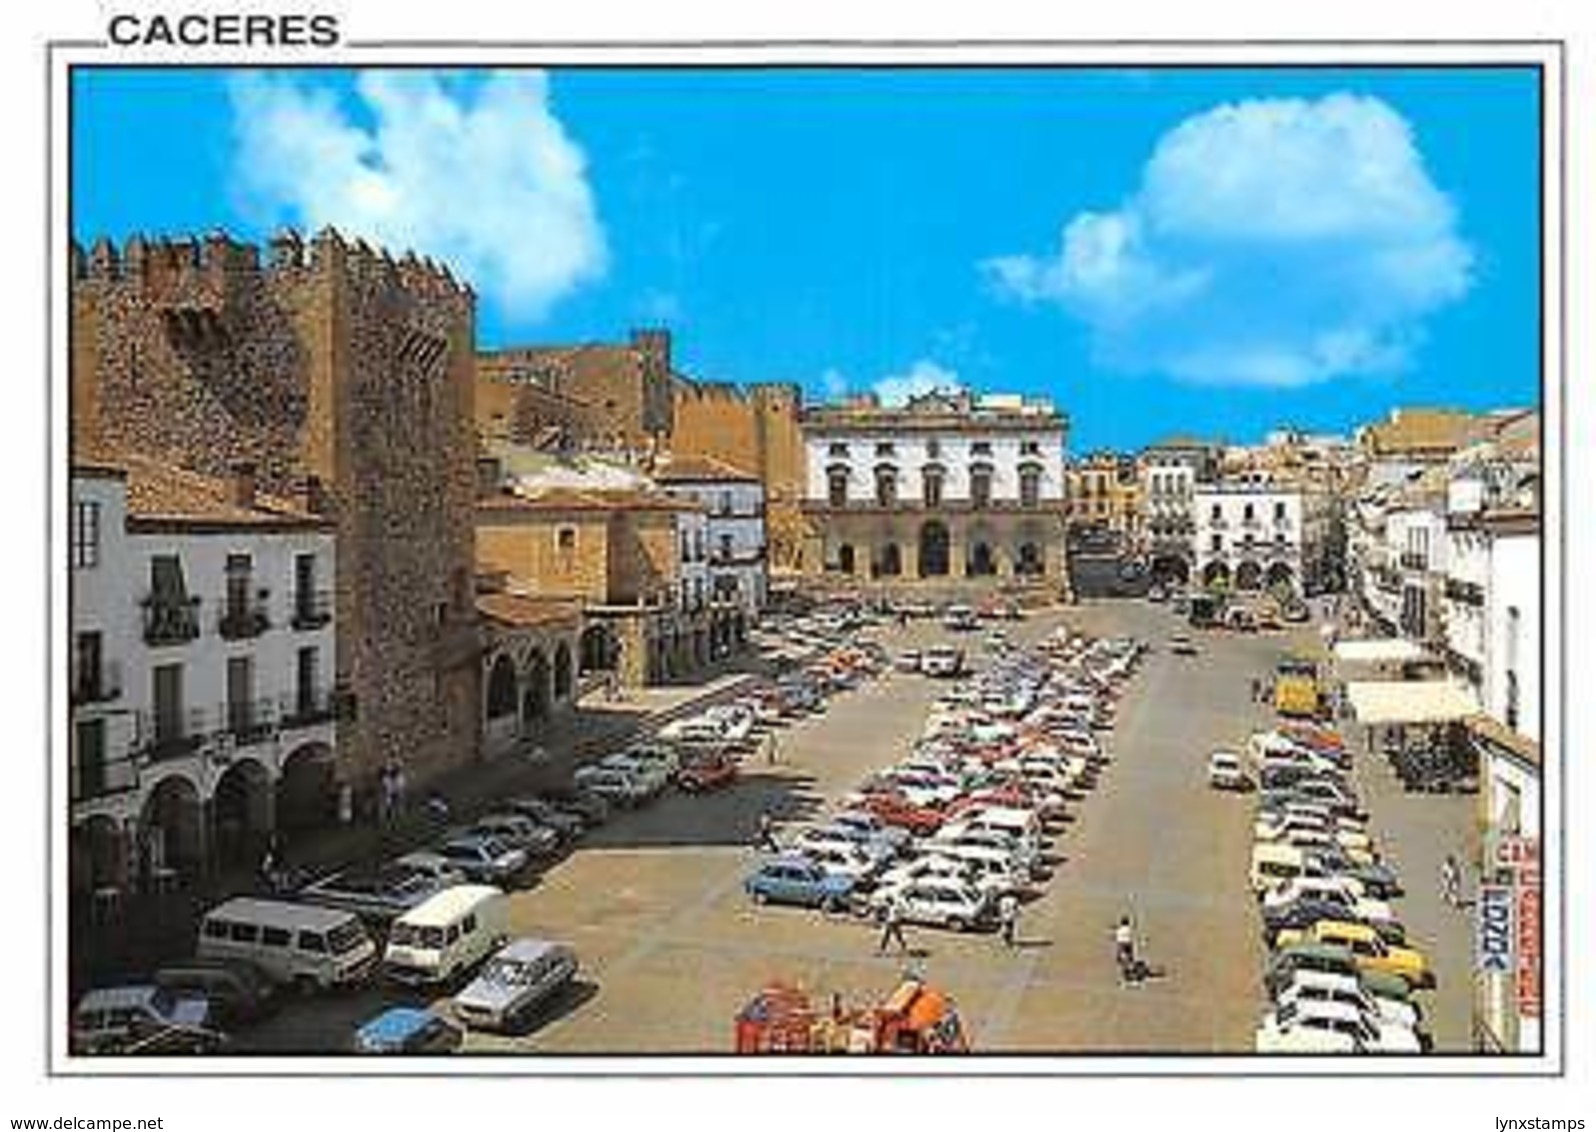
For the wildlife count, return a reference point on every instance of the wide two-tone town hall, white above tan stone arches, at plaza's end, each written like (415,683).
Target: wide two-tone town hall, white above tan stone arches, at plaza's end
(949,493)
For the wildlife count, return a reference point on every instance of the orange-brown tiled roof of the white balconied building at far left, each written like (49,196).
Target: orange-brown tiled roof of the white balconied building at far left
(164,494)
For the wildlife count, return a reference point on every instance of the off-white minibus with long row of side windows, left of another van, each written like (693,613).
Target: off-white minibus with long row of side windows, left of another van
(298,944)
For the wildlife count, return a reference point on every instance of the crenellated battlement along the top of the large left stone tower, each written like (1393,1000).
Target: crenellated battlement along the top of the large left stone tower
(192,264)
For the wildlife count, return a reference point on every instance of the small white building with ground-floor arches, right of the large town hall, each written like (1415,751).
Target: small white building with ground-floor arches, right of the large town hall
(1260,536)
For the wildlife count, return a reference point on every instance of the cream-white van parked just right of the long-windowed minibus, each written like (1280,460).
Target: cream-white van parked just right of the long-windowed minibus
(448,935)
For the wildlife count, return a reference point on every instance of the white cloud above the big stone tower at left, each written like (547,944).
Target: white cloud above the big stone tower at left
(478,175)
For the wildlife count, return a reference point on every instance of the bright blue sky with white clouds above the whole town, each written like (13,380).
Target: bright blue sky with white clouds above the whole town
(1198,251)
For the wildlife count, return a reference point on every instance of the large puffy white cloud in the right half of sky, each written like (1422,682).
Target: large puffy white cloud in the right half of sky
(1274,242)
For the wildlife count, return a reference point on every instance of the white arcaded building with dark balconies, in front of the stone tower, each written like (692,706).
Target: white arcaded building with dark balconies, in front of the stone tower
(202,665)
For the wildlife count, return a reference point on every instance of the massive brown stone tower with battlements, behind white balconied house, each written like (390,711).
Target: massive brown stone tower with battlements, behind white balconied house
(347,378)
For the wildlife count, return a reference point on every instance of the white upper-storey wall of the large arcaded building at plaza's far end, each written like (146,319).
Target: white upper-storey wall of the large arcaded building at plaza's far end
(955,456)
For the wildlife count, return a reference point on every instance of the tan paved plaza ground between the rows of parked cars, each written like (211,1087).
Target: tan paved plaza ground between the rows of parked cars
(671,946)
